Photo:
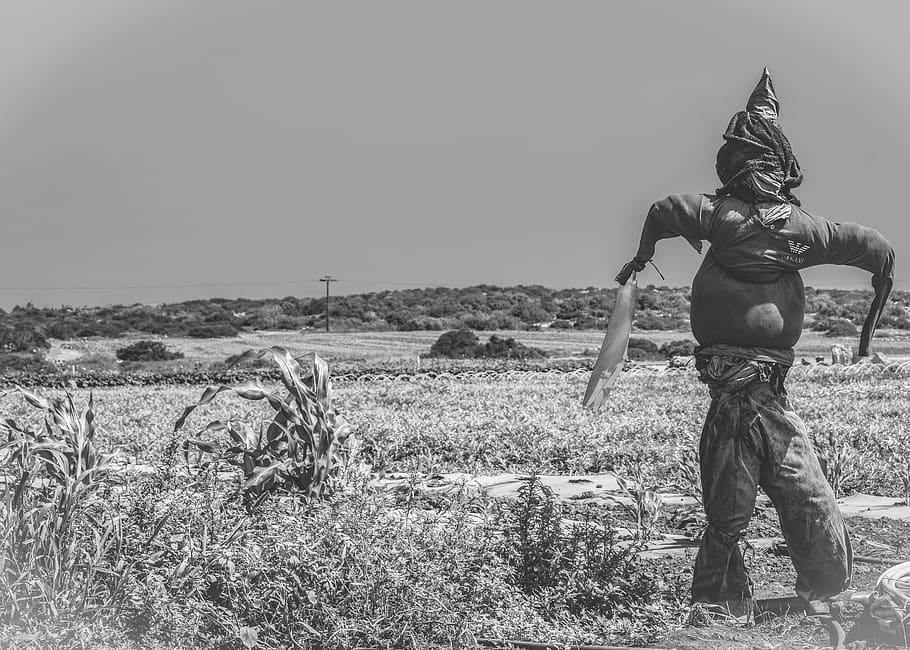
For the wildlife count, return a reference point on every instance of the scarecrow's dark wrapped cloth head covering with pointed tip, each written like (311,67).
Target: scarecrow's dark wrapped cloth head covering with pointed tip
(756,163)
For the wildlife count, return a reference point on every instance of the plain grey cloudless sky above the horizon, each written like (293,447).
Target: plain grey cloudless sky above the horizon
(163,150)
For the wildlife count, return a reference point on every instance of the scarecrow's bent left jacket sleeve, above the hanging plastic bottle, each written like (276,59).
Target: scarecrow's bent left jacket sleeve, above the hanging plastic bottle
(681,215)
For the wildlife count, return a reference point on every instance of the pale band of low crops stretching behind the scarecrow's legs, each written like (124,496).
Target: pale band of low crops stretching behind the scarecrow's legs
(534,423)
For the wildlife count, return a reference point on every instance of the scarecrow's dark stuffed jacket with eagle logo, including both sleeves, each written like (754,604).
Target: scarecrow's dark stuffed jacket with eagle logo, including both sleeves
(748,292)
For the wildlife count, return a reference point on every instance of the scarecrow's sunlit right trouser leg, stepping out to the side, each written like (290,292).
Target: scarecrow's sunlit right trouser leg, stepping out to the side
(809,517)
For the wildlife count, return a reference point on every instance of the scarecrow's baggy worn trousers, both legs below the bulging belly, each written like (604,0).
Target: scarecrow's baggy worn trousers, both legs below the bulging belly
(752,437)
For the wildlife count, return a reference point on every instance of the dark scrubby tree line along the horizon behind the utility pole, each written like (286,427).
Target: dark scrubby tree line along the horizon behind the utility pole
(483,308)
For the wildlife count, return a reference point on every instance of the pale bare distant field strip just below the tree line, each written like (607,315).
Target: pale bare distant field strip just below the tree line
(378,347)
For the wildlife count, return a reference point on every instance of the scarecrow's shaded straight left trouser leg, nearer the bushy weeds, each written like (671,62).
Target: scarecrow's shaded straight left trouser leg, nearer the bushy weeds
(730,472)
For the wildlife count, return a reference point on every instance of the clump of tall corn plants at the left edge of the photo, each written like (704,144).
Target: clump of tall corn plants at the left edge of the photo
(52,554)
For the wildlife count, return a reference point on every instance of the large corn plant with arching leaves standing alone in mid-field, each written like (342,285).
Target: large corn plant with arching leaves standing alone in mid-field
(298,449)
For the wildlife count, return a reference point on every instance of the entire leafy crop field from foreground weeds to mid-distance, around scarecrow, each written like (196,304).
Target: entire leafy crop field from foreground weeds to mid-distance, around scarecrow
(165,549)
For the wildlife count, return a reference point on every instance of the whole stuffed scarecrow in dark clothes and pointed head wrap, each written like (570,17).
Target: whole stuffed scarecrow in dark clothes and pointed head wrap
(747,311)
